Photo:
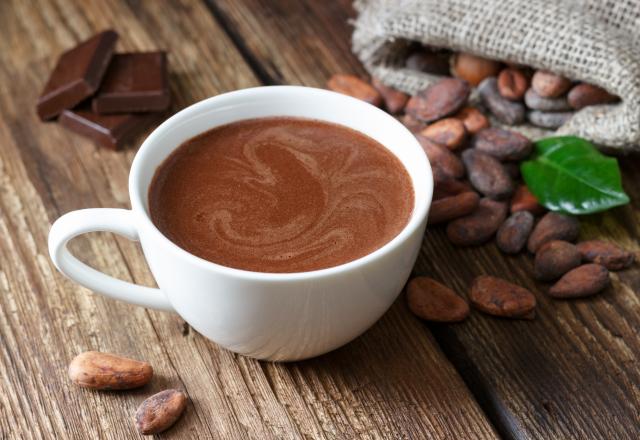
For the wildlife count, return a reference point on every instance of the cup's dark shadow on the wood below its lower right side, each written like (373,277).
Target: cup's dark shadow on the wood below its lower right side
(396,366)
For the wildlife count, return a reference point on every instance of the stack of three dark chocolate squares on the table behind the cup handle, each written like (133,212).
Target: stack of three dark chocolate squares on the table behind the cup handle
(106,96)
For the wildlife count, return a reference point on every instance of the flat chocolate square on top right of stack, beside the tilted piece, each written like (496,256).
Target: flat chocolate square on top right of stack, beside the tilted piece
(134,82)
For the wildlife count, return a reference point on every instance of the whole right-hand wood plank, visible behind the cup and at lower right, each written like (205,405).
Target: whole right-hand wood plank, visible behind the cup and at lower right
(571,373)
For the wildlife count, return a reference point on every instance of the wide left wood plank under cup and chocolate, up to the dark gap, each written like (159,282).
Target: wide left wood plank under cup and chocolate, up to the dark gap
(393,382)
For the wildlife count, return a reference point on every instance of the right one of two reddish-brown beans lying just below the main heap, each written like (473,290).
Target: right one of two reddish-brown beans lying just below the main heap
(498,297)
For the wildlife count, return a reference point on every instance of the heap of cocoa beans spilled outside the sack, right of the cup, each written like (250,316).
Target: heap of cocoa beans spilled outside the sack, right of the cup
(479,196)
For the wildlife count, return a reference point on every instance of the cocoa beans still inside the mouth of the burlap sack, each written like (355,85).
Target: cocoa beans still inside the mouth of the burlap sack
(513,94)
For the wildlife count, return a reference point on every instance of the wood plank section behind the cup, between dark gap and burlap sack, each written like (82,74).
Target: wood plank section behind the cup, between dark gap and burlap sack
(291,42)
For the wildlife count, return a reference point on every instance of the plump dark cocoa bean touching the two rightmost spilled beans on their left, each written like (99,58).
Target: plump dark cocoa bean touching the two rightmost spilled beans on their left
(554,259)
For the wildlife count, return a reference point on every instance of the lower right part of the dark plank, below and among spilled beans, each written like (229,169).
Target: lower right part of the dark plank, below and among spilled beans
(570,373)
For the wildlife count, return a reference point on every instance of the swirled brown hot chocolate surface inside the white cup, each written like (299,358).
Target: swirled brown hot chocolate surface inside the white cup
(281,195)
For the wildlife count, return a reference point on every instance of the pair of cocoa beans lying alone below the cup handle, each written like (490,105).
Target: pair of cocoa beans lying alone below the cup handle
(105,371)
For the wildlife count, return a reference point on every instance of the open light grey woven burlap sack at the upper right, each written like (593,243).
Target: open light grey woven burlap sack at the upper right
(596,41)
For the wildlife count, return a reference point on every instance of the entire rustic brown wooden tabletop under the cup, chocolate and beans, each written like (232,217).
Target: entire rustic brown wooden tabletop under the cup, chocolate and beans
(573,372)
